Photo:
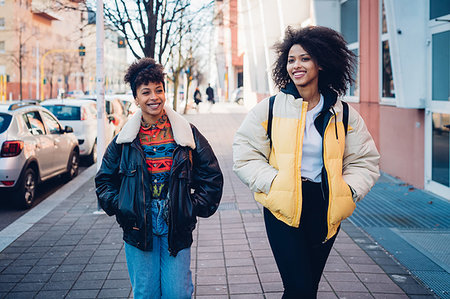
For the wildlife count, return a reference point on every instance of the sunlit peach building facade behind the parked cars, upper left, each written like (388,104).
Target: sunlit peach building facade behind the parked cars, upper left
(39,50)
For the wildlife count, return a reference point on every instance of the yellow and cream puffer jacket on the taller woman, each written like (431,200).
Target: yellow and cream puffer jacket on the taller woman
(274,174)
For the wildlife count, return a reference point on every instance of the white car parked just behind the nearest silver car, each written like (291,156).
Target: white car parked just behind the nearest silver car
(81,115)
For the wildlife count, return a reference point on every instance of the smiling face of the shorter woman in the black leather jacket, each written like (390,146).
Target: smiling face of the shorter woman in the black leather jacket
(151,98)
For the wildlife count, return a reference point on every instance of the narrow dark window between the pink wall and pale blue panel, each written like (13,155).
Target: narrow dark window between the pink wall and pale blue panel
(387,79)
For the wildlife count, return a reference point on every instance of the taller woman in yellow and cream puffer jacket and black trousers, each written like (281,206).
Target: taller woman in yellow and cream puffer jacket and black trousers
(319,160)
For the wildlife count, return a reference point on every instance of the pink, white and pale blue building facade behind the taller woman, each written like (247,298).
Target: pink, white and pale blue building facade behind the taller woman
(402,81)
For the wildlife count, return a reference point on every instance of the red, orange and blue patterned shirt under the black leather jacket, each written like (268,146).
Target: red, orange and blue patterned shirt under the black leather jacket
(158,145)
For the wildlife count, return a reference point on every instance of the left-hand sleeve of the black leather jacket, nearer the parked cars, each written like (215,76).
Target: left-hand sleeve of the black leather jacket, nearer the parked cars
(107,180)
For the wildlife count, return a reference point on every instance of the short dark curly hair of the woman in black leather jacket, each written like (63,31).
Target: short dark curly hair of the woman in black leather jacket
(144,71)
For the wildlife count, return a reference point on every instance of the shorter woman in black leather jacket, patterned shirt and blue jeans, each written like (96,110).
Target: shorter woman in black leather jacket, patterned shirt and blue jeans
(157,175)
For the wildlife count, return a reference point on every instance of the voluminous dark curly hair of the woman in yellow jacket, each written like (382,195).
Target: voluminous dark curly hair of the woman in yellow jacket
(327,47)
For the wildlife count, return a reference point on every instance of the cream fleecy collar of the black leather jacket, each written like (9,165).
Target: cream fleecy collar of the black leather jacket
(181,128)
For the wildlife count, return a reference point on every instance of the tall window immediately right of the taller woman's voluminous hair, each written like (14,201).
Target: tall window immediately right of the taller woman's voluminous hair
(349,30)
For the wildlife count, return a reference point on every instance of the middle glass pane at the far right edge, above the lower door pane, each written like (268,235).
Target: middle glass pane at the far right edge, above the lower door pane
(441,67)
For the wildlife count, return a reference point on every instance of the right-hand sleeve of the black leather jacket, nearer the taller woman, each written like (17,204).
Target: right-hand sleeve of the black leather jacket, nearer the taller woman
(207,177)
